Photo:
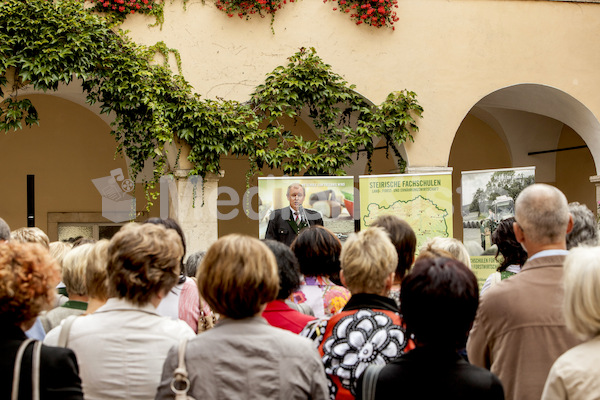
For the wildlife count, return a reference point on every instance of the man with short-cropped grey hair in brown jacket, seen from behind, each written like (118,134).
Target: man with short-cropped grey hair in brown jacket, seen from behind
(519,330)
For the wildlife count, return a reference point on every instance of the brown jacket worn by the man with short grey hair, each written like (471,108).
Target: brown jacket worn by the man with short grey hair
(520,331)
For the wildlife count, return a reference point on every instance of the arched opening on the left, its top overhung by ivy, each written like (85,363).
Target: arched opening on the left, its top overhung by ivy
(70,147)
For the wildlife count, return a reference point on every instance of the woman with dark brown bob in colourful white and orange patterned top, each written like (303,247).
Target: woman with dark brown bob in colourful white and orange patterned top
(318,252)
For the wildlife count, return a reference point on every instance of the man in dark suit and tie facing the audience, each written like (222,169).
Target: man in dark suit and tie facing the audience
(285,223)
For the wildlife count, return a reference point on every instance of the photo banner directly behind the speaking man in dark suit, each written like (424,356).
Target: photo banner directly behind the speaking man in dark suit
(332,196)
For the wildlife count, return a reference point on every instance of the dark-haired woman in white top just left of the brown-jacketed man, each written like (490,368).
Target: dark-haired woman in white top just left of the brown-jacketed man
(513,254)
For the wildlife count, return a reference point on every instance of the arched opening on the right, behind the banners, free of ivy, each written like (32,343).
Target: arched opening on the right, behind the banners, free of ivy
(529,125)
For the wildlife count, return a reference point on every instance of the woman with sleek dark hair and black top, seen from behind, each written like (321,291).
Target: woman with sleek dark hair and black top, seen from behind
(438,301)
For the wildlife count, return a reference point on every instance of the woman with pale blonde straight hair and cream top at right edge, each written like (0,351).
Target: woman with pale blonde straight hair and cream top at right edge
(575,374)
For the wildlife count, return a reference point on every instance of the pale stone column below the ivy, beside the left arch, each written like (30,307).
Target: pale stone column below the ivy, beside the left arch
(192,202)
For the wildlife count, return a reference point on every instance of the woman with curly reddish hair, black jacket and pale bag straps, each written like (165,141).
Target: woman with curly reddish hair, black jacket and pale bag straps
(28,276)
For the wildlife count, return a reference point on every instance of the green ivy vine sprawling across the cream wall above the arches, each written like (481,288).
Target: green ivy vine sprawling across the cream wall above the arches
(45,43)
